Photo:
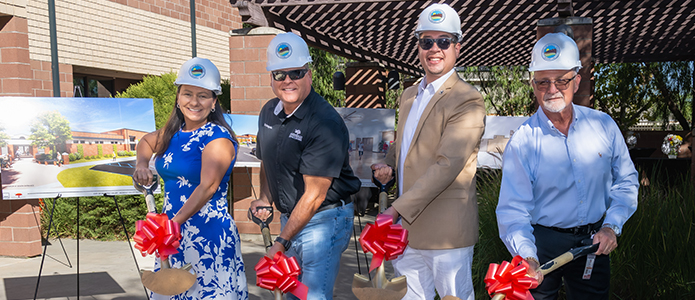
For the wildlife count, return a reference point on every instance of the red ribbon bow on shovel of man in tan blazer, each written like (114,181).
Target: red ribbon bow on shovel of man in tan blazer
(383,239)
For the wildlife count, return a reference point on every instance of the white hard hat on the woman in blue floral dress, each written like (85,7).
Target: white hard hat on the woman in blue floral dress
(200,72)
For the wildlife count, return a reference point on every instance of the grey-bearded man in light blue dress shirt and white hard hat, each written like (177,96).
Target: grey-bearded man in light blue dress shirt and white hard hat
(567,177)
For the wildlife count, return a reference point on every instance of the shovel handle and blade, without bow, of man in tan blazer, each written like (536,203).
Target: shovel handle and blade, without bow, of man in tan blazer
(381,288)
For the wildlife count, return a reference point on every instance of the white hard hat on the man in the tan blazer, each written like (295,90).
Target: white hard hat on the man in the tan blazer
(439,17)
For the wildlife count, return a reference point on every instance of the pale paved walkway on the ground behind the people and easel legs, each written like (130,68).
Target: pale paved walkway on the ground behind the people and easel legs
(107,271)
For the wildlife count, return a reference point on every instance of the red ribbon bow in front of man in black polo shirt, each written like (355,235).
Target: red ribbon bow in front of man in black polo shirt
(280,273)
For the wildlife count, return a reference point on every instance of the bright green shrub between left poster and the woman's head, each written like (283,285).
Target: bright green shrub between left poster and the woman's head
(160,89)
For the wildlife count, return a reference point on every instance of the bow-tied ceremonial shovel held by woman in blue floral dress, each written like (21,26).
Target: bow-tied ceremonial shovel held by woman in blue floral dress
(148,238)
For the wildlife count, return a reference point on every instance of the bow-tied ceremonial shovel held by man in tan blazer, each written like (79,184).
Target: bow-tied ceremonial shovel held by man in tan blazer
(381,288)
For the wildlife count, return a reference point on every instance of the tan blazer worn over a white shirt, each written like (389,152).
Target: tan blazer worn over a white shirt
(438,205)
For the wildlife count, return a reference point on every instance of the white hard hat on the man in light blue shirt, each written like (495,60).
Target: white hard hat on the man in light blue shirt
(555,51)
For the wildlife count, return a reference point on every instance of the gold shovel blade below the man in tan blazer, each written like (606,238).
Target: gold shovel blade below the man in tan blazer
(394,289)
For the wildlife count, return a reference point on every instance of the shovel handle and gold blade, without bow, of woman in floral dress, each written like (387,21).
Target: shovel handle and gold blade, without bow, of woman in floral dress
(166,281)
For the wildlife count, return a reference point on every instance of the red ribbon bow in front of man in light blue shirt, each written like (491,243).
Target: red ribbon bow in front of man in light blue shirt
(510,279)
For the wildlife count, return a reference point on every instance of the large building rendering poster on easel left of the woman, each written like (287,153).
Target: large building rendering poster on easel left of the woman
(70,147)
